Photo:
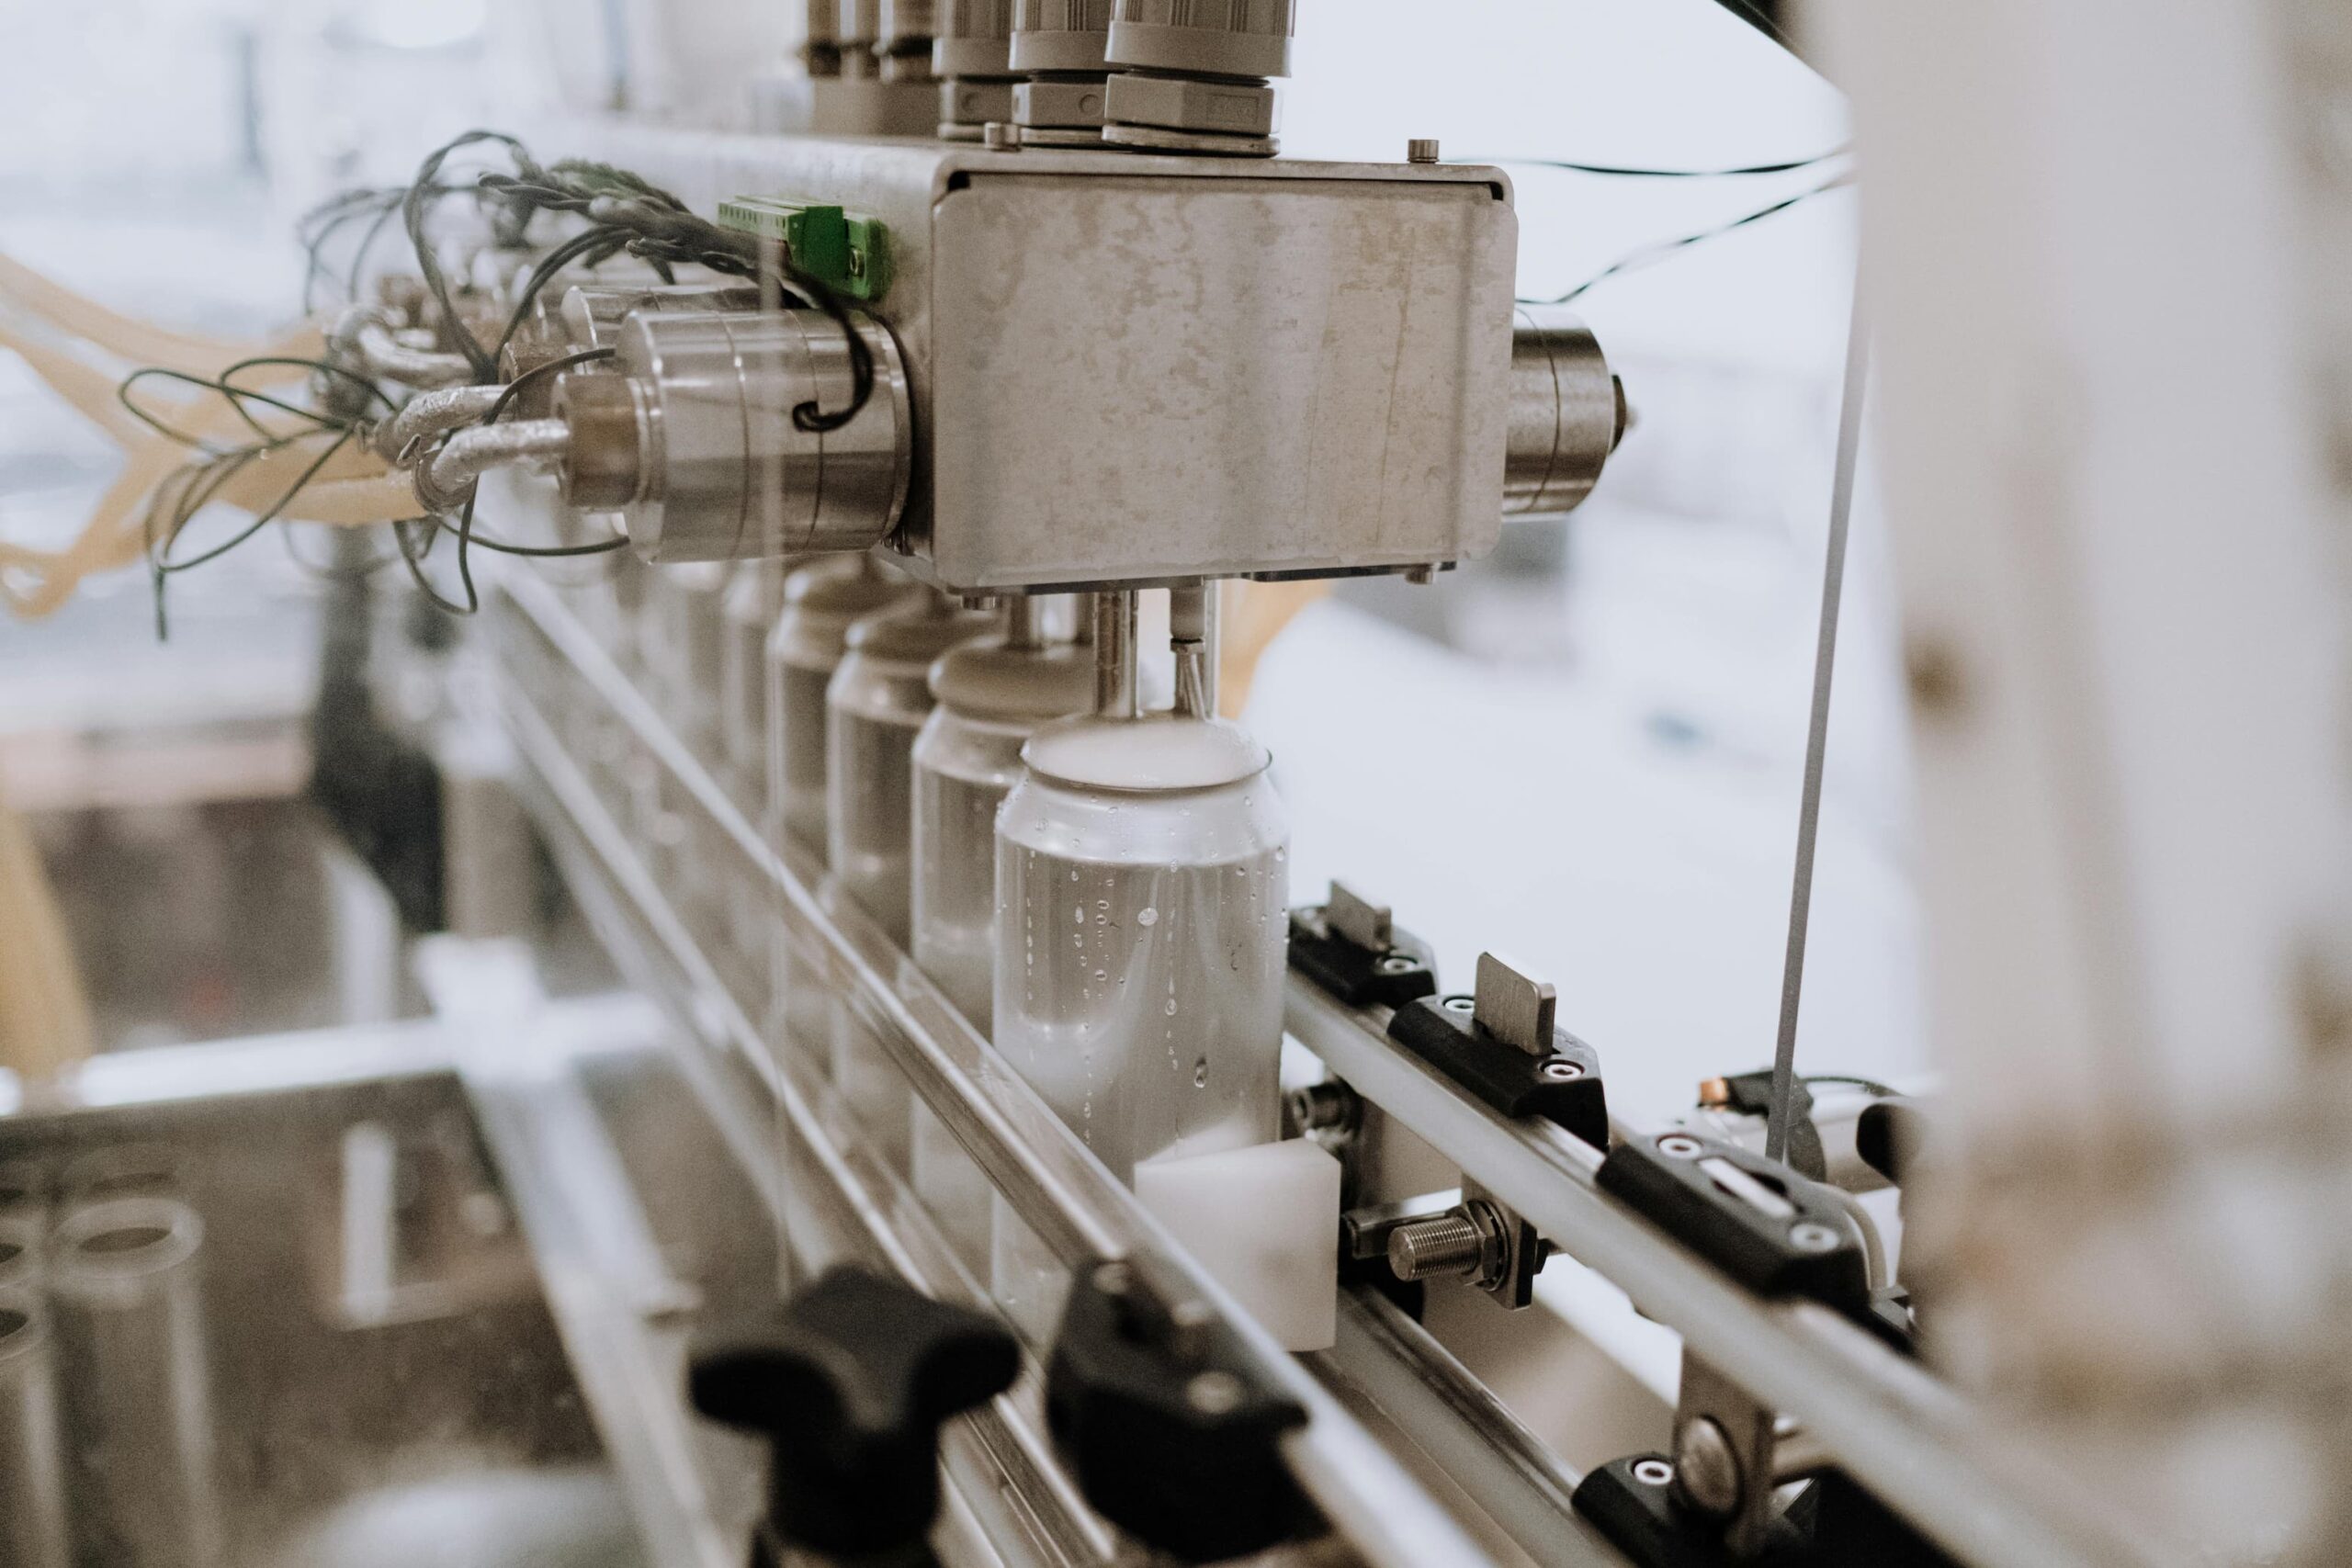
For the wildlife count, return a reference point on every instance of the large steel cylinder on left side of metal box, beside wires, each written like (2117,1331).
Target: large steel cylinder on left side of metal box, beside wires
(700,443)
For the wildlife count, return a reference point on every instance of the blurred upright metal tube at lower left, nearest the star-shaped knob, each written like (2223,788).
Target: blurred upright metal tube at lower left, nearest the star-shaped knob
(140,1393)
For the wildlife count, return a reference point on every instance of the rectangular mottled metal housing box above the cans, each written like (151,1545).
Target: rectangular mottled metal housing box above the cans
(1135,368)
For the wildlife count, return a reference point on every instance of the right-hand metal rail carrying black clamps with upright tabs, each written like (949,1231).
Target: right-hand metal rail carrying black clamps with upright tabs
(1902,1433)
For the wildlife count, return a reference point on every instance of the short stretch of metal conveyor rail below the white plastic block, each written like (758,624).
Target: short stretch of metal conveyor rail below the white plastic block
(1445,1412)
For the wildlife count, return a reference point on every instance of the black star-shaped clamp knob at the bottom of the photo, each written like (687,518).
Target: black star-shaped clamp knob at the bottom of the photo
(850,1386)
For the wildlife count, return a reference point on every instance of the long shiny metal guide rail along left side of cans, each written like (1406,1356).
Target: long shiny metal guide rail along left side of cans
(1062,1193)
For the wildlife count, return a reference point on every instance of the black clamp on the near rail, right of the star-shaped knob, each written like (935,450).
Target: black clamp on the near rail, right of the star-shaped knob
(1170,1421)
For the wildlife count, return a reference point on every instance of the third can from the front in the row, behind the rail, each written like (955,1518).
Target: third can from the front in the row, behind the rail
(876,706)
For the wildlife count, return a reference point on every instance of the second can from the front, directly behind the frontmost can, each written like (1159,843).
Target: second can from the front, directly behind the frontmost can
(991,697)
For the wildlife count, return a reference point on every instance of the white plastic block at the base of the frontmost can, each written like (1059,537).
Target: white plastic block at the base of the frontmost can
(1264,1221)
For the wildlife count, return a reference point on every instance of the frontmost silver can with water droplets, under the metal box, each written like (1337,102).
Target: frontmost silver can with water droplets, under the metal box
(1142,904)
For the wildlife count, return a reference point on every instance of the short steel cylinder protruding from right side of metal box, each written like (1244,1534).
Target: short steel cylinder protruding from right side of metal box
(1568,413)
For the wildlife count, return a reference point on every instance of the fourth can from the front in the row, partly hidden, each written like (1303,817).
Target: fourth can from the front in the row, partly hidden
(822,603)
